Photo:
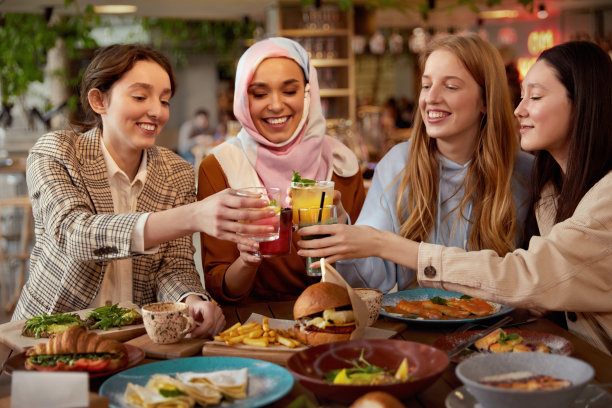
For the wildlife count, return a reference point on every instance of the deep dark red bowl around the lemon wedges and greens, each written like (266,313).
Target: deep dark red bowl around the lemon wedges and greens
(310,365)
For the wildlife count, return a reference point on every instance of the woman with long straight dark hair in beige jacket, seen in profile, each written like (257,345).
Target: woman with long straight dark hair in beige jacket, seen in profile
(566,115)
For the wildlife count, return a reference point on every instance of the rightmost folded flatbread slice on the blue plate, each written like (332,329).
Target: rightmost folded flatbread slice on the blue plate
(232,383)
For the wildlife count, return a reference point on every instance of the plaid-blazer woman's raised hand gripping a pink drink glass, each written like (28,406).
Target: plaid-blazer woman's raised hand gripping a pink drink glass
(218,216)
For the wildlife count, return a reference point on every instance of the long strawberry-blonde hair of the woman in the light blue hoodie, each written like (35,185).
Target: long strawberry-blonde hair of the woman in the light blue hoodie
(487,184)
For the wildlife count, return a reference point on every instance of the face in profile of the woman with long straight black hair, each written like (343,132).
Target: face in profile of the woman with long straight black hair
(545,113)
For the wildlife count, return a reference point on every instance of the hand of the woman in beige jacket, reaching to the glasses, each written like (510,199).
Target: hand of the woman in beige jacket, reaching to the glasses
(344,242)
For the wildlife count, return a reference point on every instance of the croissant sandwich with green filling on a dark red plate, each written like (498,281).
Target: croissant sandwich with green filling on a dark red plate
(77,349)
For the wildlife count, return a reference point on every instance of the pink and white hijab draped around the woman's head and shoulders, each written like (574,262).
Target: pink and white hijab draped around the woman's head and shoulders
(309,151)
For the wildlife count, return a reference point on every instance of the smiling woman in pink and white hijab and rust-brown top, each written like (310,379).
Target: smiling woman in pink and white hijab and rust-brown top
(277,102)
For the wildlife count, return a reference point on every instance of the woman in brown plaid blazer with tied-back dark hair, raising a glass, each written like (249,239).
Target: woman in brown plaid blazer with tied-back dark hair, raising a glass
(113,213)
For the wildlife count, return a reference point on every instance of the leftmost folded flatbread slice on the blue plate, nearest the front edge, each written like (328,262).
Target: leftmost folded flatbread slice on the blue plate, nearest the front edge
(141,397)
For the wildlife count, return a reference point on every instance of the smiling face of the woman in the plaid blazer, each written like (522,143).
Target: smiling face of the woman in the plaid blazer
(136,108)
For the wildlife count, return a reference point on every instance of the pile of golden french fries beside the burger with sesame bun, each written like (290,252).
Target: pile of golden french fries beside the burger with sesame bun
(260,332)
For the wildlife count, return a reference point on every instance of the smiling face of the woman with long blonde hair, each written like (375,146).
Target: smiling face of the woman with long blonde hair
(450,101)
